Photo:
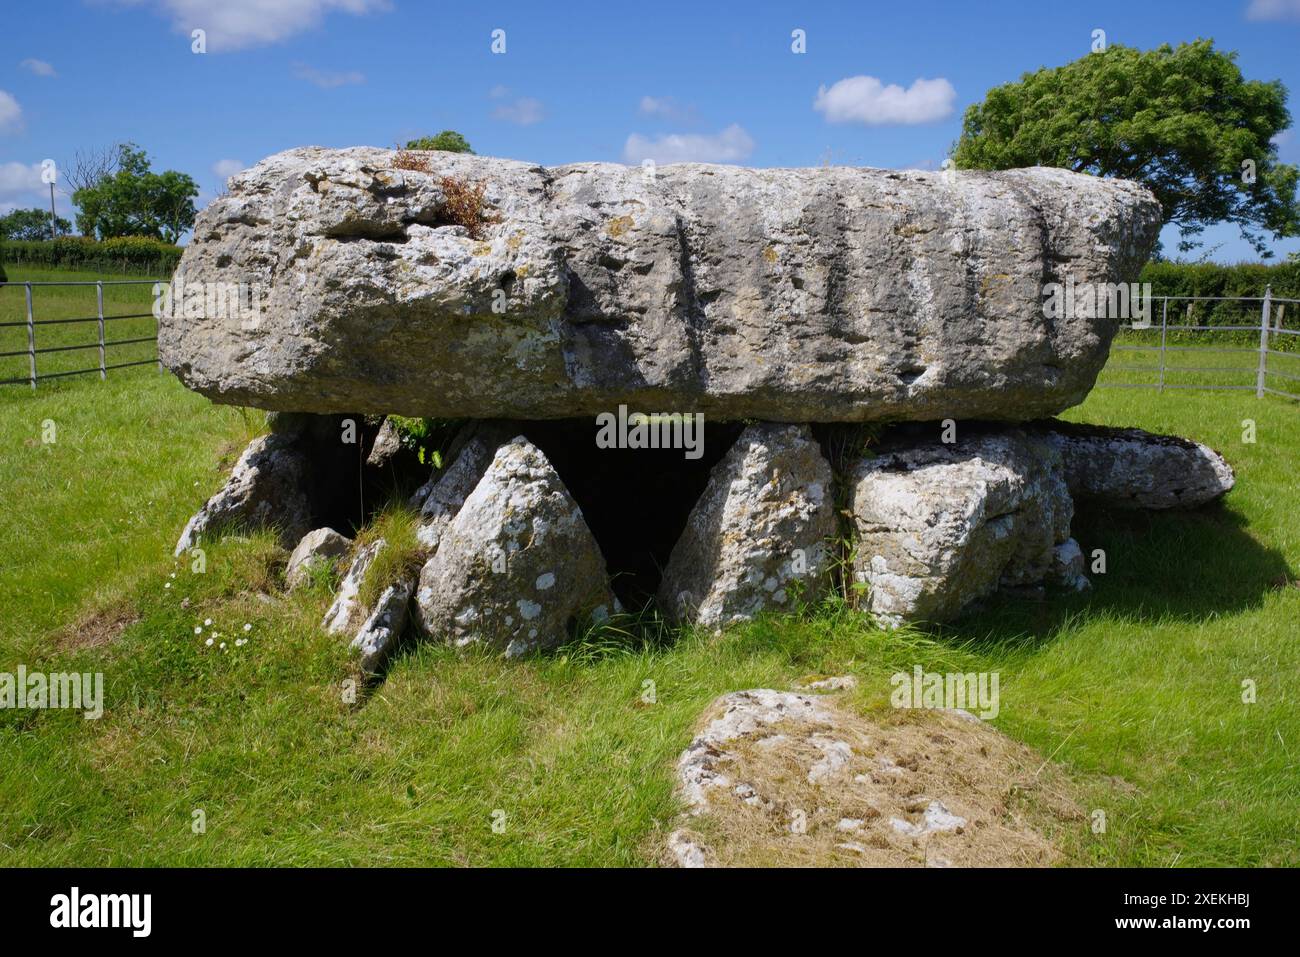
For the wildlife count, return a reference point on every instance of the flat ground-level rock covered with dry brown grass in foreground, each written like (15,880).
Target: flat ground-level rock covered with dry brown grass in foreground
(782,778)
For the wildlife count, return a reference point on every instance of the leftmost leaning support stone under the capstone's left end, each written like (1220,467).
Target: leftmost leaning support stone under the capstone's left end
(267,488)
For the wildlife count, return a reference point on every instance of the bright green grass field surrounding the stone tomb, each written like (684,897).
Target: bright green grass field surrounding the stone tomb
(1136,690)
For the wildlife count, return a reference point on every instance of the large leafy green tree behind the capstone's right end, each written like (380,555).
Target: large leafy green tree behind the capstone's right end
(1182,122)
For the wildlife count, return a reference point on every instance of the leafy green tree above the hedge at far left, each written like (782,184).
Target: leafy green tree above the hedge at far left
(136,201)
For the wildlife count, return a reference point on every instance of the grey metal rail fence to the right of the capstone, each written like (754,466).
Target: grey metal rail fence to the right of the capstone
(1271,326)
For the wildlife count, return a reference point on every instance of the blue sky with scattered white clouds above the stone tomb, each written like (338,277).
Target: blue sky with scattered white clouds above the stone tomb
(578,81)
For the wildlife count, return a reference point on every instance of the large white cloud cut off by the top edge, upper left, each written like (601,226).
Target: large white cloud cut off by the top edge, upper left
(240,24)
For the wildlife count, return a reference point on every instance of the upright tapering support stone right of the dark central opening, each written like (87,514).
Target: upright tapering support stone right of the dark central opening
(765,522)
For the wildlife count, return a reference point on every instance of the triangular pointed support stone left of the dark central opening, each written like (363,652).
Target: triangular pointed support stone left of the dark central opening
(518,568)
